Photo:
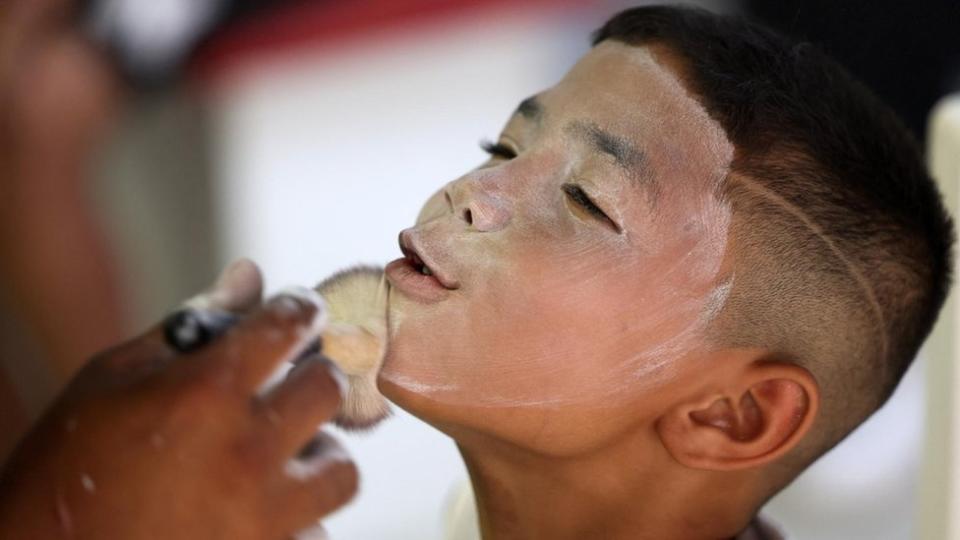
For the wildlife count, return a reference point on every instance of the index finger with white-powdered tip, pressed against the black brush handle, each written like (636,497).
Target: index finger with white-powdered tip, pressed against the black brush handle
(273,334)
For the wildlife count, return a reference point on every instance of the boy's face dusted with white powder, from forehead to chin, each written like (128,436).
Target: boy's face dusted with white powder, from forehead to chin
(567,312)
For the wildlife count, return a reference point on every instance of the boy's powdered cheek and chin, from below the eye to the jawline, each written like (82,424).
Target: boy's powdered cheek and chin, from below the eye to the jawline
(553,322)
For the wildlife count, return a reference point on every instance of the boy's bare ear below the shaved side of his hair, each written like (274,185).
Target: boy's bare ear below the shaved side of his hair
(750,415)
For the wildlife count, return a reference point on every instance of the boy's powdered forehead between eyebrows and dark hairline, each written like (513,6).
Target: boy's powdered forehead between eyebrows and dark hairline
(637,93)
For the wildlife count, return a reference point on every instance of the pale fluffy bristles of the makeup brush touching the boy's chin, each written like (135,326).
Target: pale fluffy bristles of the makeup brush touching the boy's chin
(355,340)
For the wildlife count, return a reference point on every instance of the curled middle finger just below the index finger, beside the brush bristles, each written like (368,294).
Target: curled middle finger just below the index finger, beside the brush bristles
(308,397)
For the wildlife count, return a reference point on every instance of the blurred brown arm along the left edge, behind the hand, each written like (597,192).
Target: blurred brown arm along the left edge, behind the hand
(56,272)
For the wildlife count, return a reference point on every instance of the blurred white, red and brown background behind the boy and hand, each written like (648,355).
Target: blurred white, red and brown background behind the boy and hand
(306,134)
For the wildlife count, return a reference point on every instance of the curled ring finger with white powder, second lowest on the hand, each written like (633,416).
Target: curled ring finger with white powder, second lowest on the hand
(321,482)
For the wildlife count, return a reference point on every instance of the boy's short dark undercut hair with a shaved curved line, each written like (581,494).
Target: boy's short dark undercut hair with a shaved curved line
(840,244)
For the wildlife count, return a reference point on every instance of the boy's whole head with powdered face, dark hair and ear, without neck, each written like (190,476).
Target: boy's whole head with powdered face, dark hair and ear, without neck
(706,241)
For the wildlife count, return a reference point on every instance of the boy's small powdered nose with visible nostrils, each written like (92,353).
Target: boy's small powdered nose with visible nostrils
(479,206)
